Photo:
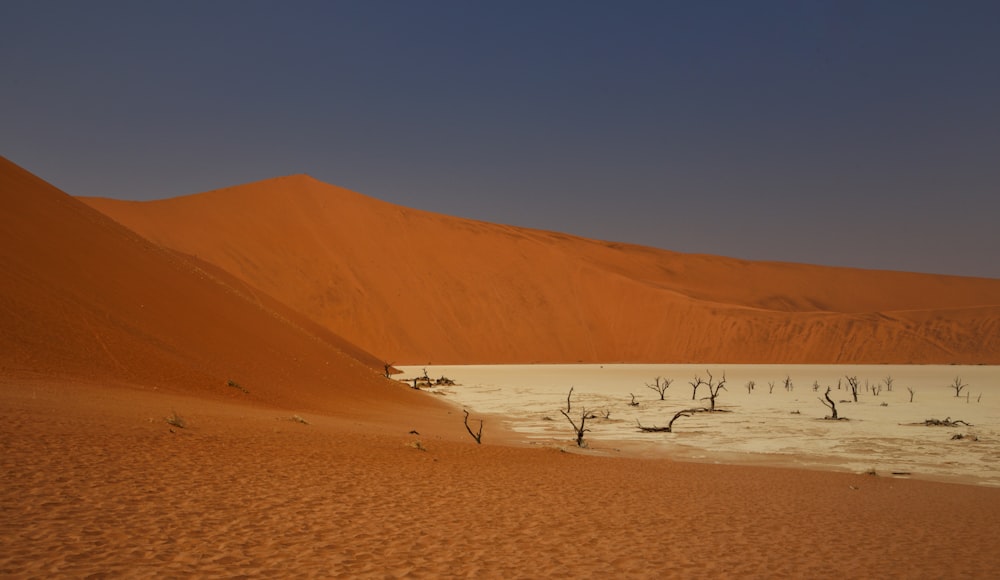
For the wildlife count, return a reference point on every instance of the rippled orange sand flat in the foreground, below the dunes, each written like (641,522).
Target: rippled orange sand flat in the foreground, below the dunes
(96,483)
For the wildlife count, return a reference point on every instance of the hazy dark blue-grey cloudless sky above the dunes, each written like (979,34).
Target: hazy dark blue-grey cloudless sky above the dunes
(860,134)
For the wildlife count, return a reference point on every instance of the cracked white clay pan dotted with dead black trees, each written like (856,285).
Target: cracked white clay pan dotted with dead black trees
(767,424)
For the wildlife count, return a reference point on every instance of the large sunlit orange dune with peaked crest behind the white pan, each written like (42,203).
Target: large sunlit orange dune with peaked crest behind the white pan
(416,287)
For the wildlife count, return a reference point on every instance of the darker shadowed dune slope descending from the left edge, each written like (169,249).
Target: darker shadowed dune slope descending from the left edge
(86,299)
